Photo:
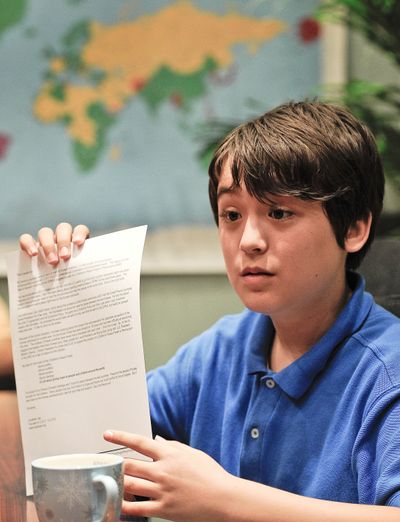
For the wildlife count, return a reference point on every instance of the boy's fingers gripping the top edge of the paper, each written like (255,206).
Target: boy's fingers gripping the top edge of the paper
(56,244)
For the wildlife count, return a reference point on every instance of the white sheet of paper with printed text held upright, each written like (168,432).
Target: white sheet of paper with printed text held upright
(77,347)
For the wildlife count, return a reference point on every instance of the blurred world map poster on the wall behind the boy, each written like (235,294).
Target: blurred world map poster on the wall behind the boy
(105,106)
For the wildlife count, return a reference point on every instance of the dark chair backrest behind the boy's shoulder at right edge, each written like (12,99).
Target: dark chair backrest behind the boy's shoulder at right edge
(381,269)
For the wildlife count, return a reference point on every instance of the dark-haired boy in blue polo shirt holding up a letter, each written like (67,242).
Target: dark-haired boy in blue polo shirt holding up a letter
(293,406)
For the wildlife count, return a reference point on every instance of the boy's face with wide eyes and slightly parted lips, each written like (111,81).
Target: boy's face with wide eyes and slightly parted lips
(281,256)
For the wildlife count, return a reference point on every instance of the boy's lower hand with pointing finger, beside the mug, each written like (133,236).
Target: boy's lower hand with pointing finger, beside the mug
(183,484)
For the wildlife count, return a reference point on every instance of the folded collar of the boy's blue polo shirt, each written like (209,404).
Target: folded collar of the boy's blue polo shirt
(296,378)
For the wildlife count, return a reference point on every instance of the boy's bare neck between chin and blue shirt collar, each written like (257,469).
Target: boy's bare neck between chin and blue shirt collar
(294,337)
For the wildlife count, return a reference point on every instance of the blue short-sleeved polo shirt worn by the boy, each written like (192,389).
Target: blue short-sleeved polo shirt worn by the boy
(327,426)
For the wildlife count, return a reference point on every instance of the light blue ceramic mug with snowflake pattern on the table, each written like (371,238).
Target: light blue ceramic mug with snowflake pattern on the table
(82,487)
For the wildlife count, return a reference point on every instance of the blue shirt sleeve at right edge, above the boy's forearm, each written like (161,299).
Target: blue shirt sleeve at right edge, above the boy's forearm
(377,452)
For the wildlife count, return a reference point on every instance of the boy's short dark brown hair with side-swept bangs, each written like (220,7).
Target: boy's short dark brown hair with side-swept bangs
(311,150)
